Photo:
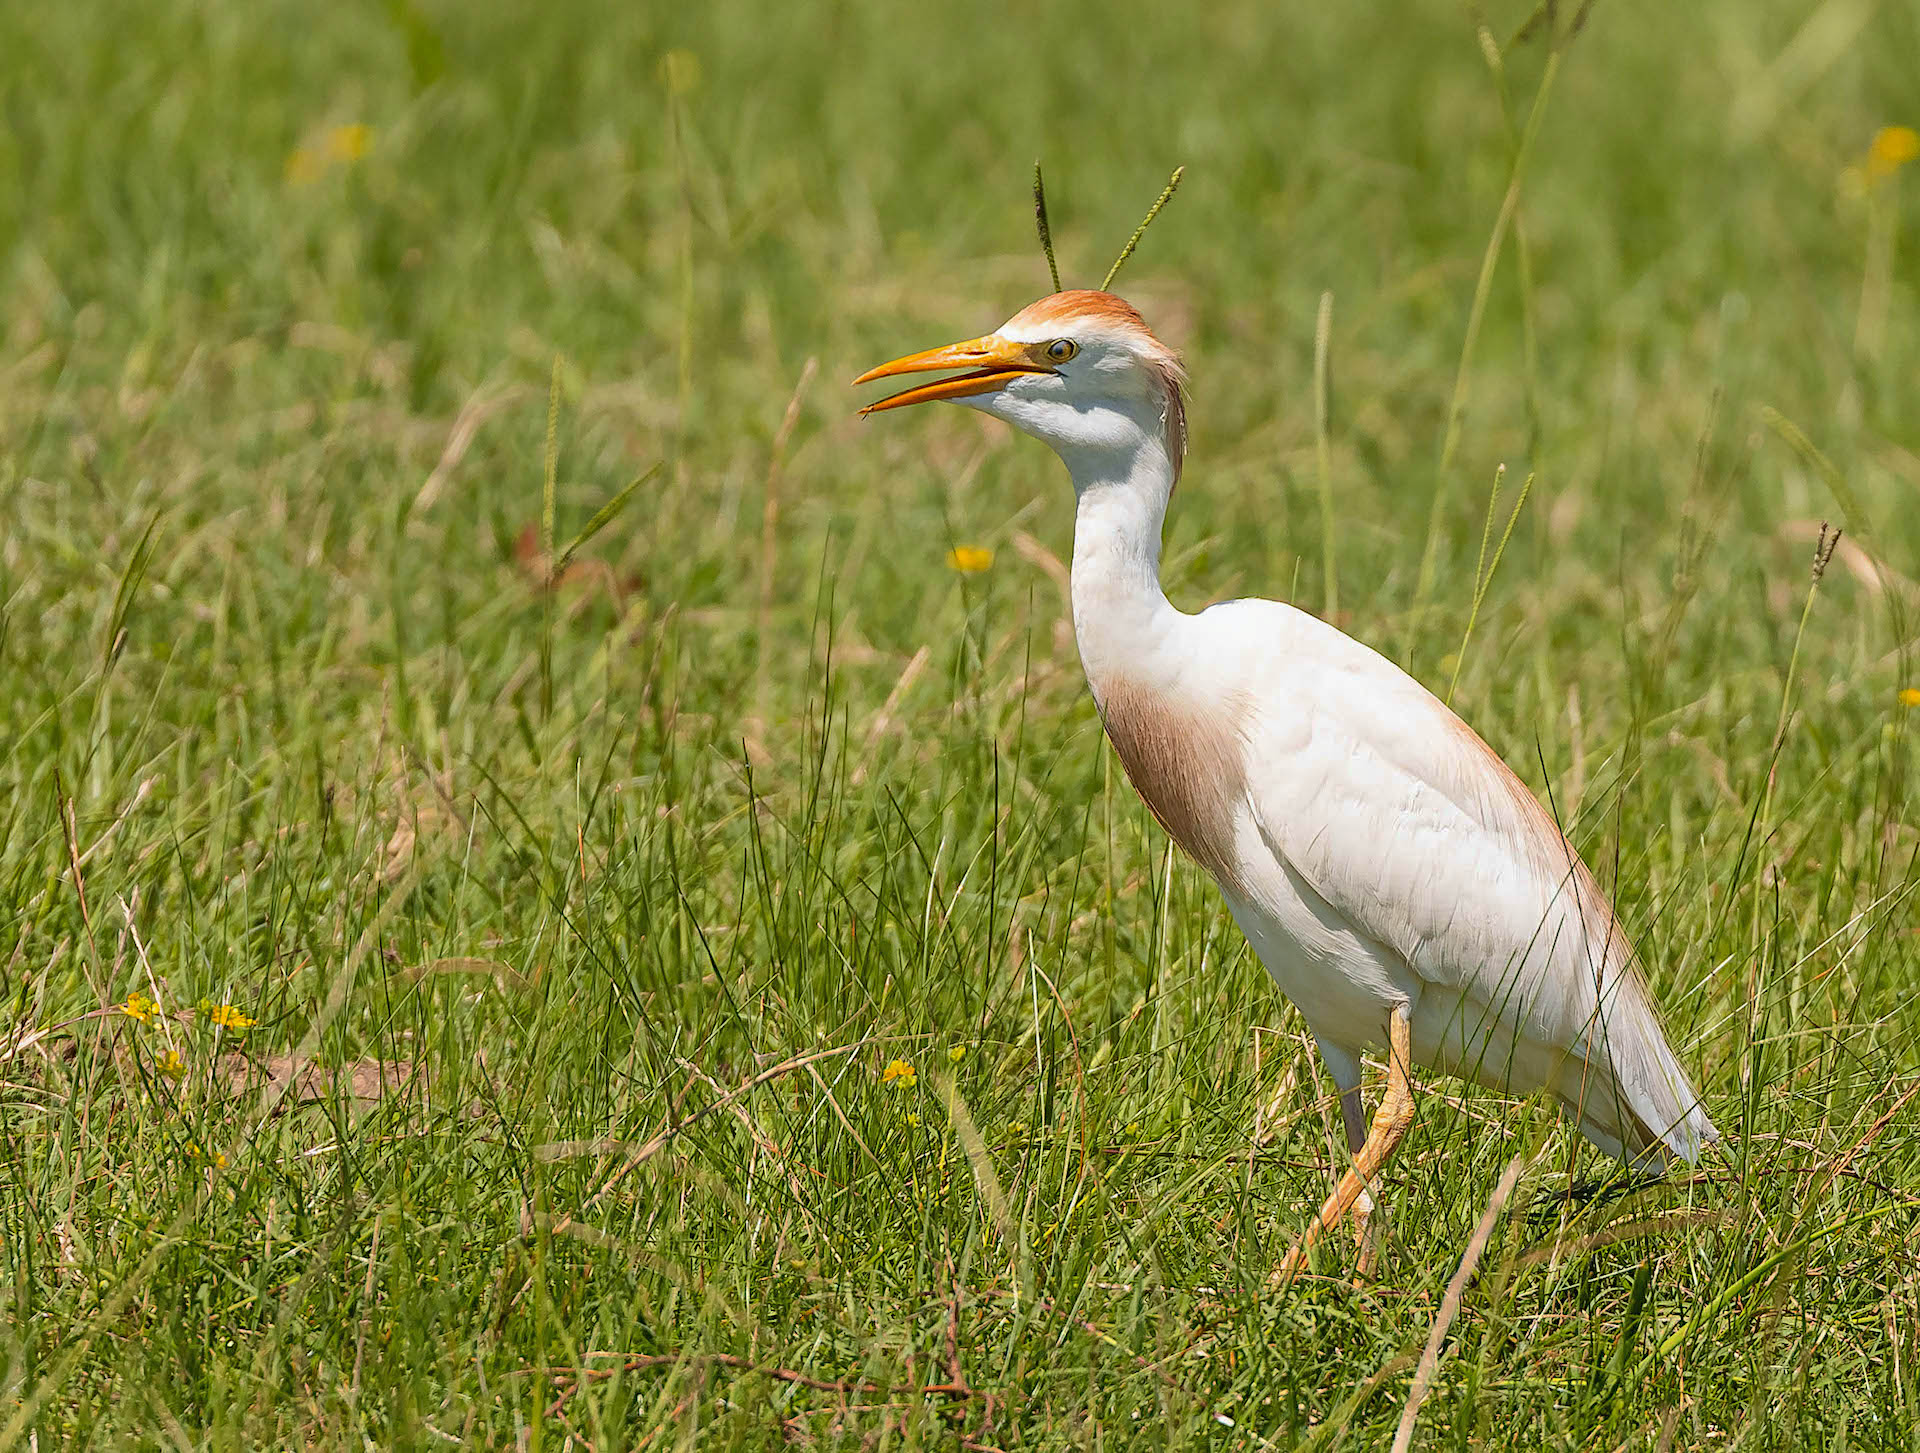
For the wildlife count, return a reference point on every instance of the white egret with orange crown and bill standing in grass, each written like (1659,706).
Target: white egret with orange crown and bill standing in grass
(1397,878)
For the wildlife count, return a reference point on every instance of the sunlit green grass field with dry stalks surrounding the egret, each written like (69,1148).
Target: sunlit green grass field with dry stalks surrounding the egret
(516,878)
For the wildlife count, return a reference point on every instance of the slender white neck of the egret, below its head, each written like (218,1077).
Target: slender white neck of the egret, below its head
(1122,619)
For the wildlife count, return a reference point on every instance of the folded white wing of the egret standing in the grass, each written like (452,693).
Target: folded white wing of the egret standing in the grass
(1403,821)
